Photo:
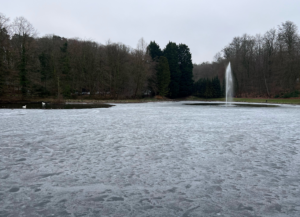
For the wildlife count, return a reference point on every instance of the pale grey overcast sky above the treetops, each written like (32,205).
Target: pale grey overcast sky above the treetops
(206,26)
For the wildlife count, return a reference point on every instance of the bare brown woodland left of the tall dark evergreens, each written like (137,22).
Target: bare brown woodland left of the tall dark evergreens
(55,66)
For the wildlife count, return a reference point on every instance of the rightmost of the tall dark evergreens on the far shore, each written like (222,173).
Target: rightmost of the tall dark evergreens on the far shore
(186,68)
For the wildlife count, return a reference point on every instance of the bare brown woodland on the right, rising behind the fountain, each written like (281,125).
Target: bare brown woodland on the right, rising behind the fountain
(263,65)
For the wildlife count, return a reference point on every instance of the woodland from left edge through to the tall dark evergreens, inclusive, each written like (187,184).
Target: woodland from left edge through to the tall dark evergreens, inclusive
(53,66)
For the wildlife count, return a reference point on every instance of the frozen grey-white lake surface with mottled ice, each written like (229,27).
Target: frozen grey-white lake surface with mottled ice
(150,159)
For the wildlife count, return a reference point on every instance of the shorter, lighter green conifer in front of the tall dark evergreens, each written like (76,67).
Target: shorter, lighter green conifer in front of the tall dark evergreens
(163,76)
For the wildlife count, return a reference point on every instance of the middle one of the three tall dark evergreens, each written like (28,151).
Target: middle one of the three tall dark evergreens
(171,53)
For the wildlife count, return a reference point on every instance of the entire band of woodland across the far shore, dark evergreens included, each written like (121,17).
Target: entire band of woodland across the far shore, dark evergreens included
(52,66)
